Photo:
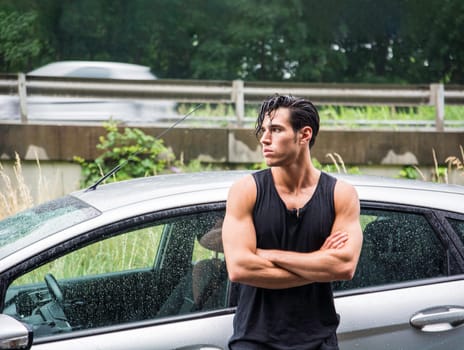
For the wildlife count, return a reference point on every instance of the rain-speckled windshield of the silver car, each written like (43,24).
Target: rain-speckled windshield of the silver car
(41,221)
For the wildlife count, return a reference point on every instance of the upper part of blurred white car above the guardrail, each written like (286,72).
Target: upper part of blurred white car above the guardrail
(94,69)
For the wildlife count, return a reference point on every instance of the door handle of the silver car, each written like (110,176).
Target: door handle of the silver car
(438,319)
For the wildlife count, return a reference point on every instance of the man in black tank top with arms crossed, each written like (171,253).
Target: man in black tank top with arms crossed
(289,231)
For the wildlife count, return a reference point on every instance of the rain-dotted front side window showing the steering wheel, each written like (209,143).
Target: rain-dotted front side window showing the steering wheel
(163,269)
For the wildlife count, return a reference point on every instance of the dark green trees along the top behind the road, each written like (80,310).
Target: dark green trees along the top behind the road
(371,41)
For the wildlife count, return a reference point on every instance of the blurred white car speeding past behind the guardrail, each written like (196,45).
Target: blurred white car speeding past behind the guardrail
(72,109)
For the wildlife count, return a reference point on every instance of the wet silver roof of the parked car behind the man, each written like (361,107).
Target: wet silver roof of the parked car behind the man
(369,188)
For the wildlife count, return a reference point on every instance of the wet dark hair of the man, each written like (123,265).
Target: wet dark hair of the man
(302,113)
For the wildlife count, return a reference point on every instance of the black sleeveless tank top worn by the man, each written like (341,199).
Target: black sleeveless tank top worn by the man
(294,318)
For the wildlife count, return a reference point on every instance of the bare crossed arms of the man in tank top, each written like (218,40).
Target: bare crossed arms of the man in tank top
(276,269)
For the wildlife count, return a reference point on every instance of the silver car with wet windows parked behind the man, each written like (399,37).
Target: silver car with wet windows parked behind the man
(139,265)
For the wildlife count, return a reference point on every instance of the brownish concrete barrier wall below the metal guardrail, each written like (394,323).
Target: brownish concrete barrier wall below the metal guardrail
(234,145)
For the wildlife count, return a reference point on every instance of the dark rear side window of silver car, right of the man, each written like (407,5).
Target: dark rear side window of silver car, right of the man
(397,247)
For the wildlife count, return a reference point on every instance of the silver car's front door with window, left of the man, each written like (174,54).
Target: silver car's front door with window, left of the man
(156,281)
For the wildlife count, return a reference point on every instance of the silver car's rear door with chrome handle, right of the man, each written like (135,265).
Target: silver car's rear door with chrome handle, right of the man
(407,292)
